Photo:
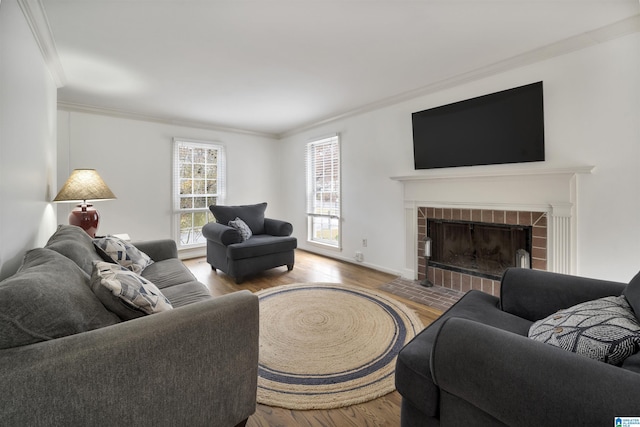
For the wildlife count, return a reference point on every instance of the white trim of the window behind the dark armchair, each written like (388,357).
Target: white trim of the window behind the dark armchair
(175,203)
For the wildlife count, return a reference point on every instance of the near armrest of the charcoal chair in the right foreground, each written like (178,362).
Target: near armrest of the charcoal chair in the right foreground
(527,383)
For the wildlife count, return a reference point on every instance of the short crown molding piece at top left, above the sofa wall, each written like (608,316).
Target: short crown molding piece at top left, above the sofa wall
(36,17)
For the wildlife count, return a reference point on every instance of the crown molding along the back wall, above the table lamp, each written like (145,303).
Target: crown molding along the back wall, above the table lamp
(123,114)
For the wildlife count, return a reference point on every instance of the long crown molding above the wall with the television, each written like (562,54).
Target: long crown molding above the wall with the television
(581,41)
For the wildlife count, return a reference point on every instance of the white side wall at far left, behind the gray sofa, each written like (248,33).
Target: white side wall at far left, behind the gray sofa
(27,141)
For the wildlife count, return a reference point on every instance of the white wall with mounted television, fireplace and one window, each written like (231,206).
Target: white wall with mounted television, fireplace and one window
(592,115)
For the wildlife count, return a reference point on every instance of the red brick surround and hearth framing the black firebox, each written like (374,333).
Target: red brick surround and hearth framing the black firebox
(464,280)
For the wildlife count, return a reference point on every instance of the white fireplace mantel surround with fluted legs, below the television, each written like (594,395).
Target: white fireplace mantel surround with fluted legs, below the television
(524,187)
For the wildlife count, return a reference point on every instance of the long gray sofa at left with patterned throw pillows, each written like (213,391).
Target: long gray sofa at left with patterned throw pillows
(66,360)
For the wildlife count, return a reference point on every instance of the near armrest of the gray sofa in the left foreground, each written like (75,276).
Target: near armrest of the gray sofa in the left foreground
(194,365)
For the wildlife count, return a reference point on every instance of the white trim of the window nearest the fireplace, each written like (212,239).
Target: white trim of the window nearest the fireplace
(310,192)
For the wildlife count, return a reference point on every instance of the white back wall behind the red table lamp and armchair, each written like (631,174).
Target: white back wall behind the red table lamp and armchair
(134,158)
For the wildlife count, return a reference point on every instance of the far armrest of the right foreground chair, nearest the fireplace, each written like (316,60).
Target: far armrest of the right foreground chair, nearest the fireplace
(535,294)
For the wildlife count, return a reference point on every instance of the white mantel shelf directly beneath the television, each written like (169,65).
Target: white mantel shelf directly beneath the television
(482,172)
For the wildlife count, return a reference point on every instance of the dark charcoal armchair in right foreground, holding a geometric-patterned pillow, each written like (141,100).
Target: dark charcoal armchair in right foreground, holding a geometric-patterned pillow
(476,364)
